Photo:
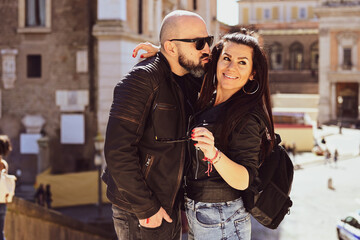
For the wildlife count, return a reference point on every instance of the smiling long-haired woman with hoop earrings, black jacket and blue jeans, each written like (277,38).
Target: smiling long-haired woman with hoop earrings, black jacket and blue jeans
(229,138)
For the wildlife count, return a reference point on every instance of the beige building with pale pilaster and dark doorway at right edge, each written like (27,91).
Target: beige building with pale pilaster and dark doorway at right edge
(339,72)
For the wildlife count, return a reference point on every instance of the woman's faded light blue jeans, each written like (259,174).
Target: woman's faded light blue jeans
(226,220)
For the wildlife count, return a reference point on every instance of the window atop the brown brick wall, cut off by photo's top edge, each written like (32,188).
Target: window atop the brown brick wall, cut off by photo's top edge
(35,13)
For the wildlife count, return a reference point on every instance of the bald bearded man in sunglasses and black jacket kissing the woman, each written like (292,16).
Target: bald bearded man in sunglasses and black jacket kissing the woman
(146,136)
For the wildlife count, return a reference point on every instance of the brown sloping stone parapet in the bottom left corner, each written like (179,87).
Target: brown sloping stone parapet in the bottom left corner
(26,220)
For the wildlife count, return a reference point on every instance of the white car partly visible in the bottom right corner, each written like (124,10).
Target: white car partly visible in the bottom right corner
(349,227)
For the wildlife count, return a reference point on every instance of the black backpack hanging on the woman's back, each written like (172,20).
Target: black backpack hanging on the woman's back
(267,199)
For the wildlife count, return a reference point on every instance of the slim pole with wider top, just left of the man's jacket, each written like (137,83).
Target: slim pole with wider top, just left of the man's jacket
(99,146)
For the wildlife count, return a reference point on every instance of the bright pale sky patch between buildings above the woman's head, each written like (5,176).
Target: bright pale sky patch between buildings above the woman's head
(227,11)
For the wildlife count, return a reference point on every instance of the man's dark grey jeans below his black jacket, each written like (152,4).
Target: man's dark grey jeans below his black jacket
(127,227)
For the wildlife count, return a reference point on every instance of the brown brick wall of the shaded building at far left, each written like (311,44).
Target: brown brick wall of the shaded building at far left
(69,33)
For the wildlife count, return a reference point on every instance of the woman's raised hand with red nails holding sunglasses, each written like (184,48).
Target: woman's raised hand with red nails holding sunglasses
(205,141)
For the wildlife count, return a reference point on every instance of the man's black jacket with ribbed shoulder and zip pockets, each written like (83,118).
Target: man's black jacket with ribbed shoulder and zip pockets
(144,166)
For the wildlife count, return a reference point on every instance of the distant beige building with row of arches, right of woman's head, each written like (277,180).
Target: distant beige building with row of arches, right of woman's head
(289,30)
